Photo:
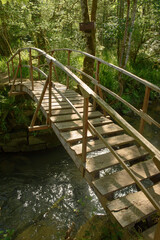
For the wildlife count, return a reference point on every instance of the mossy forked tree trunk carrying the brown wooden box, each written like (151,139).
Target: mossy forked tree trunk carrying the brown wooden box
(88,63)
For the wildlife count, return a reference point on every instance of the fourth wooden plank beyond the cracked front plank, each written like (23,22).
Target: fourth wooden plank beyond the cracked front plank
(76,135)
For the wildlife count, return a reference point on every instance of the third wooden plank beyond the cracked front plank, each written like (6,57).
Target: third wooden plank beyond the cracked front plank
(98,144)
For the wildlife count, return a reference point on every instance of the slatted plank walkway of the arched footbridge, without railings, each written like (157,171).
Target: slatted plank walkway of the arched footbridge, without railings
(114,187)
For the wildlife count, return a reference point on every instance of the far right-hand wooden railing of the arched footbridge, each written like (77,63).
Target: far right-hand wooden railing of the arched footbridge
(144,117)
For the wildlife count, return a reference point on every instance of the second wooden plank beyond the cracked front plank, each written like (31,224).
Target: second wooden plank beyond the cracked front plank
(108,160)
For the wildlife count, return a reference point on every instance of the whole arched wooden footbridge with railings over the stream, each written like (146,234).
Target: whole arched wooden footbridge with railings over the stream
(120,165)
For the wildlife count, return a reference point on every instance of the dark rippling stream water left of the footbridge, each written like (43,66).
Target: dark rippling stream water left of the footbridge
(45,190)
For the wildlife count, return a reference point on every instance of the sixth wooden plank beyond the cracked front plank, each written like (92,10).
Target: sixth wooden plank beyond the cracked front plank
(71,117)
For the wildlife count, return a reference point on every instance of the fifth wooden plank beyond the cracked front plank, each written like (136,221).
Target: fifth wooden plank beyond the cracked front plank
(79,123)
